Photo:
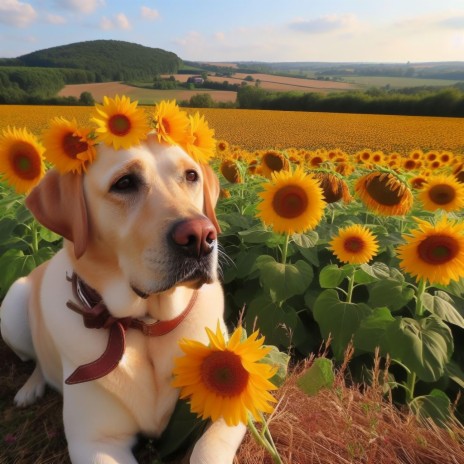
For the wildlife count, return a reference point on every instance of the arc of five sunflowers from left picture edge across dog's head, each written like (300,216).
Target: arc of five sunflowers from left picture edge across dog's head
(119,123)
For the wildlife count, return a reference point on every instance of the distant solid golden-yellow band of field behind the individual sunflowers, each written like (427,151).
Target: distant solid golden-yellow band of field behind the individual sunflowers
(260,129)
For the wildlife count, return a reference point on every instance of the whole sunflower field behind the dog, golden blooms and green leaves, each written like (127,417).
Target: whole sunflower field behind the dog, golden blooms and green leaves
(344,248)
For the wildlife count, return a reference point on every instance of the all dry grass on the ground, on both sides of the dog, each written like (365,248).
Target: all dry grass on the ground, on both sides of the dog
(340,425)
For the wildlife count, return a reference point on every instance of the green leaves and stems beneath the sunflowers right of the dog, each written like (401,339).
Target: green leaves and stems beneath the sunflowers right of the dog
(301,298)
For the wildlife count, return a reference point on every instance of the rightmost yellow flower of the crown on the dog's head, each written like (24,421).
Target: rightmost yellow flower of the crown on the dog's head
(201,144)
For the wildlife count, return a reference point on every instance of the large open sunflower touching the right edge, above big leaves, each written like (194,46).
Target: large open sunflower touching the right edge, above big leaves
(434,252)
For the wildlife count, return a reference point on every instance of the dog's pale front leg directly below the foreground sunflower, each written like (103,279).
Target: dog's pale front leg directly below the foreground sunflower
(218,444)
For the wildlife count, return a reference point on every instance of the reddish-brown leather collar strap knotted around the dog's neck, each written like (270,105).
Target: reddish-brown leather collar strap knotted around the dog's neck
(96,316)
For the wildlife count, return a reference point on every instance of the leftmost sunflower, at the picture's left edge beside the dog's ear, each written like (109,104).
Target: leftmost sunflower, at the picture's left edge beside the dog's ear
(21,159)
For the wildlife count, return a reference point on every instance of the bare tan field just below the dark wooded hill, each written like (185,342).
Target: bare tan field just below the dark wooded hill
(144,96)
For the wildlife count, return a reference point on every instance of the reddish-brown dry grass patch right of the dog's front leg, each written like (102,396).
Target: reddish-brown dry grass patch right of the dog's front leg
(351,425)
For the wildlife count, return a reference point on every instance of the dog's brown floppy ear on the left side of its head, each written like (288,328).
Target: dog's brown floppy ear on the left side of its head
(58,203)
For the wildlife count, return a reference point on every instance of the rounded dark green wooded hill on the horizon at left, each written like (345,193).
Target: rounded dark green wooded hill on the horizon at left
(109,60)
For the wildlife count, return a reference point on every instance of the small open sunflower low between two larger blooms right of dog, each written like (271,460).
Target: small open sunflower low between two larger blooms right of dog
(354,244)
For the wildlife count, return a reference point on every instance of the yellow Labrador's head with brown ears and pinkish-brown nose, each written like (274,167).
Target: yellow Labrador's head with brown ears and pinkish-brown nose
(147,211)
